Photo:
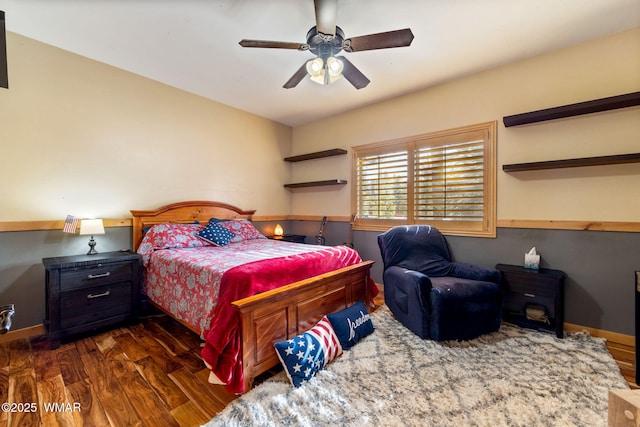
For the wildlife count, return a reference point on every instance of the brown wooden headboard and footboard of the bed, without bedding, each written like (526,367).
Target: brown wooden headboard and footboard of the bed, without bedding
(274,315)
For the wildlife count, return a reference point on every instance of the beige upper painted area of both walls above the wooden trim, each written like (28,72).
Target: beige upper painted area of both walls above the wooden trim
(80,137)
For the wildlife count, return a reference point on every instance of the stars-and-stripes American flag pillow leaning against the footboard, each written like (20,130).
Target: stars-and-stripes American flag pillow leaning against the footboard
(304,355)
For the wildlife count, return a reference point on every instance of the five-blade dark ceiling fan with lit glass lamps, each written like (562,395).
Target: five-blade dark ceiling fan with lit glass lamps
(326,41)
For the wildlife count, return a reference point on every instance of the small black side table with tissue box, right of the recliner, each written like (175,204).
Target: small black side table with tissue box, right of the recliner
(529,293)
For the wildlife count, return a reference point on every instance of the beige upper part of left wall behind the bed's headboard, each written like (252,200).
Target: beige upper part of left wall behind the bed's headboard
(83,138)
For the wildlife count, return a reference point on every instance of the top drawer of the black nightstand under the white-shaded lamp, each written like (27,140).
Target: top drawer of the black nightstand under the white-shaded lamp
(95,275)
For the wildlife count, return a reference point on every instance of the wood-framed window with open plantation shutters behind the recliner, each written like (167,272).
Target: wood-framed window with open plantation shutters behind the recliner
(445,179)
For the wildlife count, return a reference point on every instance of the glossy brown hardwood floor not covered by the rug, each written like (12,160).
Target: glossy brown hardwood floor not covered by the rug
(148,374)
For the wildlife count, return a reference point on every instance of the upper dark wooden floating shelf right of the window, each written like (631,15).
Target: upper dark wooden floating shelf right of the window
(603,104)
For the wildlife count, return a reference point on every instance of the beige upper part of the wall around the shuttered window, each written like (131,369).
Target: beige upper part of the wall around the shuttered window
(597,69)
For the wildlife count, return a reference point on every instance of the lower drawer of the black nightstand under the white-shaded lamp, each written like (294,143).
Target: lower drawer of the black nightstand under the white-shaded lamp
(90,304)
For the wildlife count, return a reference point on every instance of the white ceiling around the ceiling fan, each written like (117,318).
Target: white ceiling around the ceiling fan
(193,44)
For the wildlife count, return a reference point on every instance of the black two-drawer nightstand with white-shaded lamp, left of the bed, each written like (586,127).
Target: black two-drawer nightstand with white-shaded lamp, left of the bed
(85,292)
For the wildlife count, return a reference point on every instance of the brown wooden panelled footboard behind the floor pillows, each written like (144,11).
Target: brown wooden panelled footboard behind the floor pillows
(285,312)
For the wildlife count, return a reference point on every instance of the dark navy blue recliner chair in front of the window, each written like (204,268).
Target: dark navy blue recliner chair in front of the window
(434,297)
